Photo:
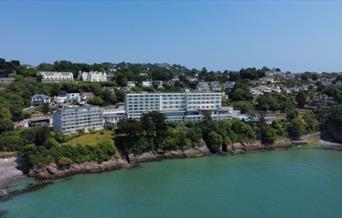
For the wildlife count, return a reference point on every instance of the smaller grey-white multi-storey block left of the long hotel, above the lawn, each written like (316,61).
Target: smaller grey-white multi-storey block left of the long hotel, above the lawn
(74,119)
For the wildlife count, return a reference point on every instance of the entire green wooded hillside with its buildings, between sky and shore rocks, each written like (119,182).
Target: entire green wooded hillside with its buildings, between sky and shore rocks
(57,112)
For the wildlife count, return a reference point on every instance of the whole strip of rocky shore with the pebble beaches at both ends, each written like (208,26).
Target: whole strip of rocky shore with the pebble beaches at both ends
(45,175)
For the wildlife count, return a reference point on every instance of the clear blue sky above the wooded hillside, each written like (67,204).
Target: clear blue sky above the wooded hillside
(292,35)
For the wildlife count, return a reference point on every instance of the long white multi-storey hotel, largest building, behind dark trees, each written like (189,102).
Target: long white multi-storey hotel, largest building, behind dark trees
(185,106)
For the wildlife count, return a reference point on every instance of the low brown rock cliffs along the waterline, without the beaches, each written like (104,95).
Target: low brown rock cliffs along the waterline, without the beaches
(52,171)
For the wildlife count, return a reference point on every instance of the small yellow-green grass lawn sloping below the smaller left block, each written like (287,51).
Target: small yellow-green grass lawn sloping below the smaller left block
(91,138)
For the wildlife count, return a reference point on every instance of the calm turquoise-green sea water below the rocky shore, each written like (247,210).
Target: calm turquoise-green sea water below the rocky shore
(293,183)
